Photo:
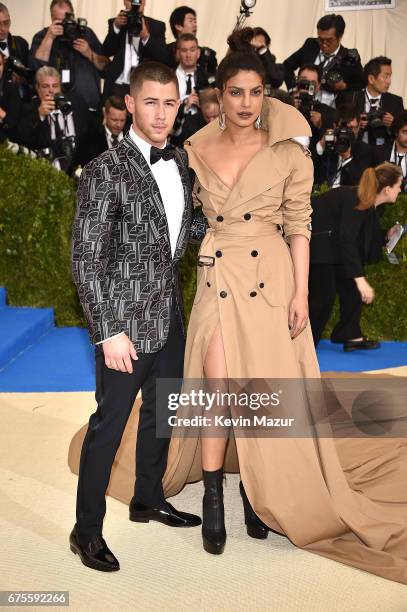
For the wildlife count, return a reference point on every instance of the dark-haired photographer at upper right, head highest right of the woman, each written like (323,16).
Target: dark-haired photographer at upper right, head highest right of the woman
(340,67)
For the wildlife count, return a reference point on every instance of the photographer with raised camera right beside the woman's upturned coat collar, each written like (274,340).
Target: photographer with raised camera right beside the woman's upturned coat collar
(306,98)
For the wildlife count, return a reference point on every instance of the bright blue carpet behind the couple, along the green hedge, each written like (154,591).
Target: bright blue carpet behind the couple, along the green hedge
(63,360)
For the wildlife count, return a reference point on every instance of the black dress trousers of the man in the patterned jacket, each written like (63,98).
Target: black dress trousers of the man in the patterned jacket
(115,396)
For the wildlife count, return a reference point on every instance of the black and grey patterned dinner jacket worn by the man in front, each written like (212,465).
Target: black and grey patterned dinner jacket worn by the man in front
(121,253)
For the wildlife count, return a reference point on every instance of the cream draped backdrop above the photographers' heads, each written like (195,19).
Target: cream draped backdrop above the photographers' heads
(289,22)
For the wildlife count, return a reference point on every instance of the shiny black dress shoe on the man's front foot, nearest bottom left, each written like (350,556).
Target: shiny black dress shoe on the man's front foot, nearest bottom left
(93,552)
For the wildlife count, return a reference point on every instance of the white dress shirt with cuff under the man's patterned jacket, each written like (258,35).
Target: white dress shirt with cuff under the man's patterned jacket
(171,189)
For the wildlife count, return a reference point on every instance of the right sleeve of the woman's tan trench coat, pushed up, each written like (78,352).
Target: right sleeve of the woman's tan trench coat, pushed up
(296,202)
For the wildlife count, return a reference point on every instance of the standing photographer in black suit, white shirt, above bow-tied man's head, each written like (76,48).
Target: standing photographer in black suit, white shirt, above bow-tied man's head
(130,47)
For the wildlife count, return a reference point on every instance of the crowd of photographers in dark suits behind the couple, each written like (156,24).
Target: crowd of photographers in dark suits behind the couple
(52,100)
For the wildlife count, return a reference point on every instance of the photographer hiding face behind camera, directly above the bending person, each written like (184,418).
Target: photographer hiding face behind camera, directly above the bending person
(340,158)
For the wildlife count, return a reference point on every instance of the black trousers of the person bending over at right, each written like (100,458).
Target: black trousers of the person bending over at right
(325,281)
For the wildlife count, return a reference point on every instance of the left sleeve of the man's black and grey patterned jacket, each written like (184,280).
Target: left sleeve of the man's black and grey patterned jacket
(91,237)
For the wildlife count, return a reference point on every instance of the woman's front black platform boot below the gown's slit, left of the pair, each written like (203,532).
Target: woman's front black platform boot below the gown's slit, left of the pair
(213,516)
